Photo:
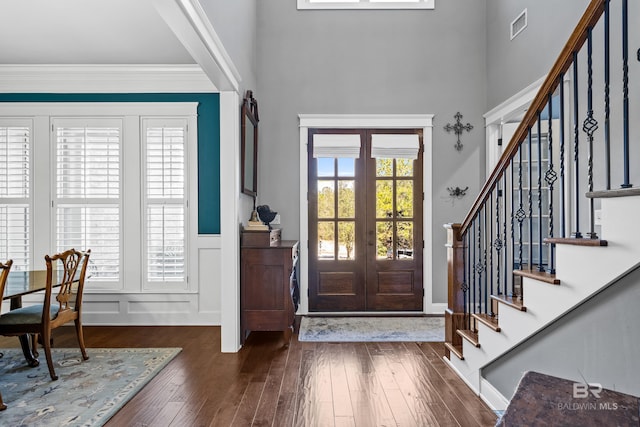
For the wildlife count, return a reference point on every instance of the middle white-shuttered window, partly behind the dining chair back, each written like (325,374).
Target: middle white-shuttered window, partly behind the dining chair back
(87,198)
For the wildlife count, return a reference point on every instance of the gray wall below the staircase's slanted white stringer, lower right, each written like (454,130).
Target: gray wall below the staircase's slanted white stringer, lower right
(597,341)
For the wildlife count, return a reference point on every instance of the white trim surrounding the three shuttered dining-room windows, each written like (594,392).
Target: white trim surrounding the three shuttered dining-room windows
(131,113)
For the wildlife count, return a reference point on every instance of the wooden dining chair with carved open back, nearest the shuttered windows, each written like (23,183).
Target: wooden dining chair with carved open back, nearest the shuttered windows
(68,269)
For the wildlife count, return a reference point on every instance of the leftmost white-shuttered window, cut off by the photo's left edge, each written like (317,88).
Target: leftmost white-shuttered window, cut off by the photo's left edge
(15,191)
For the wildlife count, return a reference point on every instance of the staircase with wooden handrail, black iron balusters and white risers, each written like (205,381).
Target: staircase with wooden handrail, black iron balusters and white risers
(523,257)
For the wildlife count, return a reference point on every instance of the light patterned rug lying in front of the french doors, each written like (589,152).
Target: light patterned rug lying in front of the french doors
(371,329)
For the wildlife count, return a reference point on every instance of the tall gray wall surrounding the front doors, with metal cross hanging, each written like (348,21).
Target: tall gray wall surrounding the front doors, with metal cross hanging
(348,62)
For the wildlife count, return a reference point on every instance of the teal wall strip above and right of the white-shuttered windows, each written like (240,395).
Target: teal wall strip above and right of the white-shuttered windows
(208,139)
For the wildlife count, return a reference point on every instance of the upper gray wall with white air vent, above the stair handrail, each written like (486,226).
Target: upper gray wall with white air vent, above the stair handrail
(514,64)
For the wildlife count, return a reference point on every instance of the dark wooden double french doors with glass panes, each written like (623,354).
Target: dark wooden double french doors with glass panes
(365,220)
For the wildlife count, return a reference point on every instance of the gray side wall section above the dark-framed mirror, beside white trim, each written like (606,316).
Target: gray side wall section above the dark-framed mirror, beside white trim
(235,24)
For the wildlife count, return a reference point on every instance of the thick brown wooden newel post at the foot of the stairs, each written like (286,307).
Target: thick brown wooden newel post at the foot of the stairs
(455,314)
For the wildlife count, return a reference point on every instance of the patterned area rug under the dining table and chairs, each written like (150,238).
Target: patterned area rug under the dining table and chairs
(87,393)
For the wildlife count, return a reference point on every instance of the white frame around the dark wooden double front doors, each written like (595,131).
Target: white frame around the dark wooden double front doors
(368,121)
